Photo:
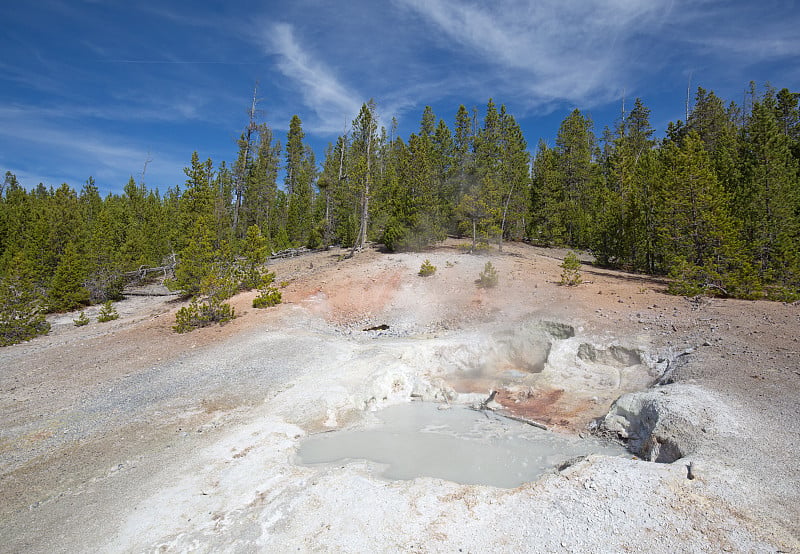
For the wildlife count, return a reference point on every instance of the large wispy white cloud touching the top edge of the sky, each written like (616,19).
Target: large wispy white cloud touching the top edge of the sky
(578,52)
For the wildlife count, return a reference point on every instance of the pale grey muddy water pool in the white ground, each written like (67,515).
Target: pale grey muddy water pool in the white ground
(461,445)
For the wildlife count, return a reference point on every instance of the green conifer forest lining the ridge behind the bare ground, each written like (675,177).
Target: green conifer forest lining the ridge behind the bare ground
(714,204)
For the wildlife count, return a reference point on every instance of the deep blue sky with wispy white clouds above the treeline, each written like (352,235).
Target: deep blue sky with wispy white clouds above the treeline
(97,87)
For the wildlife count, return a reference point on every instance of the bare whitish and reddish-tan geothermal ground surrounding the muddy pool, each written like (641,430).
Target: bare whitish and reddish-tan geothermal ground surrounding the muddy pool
(127,437)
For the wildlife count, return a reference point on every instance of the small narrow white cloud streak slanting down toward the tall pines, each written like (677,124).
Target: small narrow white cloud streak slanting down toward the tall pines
(333,103)
